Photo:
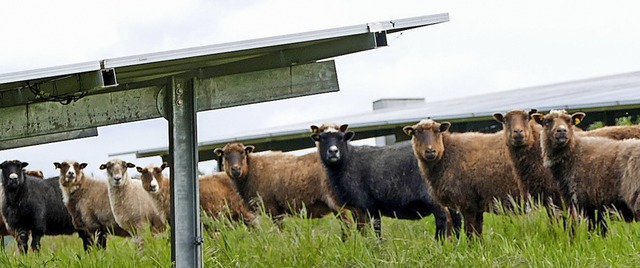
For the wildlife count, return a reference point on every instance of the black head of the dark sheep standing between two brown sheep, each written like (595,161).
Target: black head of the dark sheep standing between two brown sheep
(333,146)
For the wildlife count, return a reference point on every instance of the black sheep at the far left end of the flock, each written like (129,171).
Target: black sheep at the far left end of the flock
(33,205)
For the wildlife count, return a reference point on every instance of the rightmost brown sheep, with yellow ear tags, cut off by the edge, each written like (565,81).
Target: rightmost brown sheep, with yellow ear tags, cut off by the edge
(594,173)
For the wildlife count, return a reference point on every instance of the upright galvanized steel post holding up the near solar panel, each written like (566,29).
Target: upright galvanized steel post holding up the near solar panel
(186,230)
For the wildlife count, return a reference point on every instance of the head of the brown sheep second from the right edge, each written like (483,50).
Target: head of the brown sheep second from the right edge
(517,127)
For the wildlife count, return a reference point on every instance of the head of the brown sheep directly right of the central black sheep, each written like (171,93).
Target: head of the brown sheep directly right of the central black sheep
(427,139)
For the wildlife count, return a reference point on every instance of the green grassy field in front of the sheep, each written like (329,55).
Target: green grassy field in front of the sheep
(509,241)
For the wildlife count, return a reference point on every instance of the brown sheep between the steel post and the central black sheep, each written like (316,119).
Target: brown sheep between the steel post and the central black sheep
(286,183)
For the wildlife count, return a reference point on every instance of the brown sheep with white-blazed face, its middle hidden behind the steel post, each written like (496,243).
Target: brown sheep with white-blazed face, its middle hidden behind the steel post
(216,191)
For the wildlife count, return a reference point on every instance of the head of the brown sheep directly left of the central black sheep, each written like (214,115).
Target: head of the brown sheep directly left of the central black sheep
(234,157)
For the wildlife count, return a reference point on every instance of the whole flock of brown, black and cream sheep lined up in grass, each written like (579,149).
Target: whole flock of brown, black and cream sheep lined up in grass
(454,176)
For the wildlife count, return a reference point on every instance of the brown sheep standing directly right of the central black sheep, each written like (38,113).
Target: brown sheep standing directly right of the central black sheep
(467,171)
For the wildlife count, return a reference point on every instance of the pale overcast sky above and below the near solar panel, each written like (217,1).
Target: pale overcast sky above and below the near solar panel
(486,46)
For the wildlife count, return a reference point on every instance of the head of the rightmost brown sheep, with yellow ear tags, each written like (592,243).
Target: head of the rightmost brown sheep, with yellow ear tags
(558,126)
